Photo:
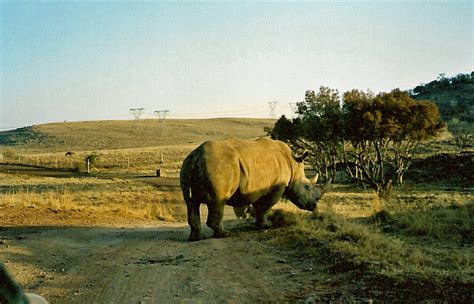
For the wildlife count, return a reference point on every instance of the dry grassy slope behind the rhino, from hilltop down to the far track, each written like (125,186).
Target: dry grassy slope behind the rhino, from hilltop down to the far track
(124,146)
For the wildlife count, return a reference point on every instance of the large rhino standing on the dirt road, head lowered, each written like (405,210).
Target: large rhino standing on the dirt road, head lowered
(241,173)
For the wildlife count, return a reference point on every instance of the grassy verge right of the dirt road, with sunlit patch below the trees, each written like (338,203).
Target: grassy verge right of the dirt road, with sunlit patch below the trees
(420,239)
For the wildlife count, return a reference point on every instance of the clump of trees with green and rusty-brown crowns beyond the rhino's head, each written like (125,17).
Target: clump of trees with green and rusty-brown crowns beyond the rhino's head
(373,137)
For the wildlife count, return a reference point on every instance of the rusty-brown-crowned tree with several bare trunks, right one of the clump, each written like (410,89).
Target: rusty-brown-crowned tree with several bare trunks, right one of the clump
(384,132)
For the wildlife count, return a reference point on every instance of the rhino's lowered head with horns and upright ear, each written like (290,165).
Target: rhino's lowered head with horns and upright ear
(305,193)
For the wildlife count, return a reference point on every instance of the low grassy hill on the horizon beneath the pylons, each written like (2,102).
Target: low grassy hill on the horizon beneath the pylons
(122,134)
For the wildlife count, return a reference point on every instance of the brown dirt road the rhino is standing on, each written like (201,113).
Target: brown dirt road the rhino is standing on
(113,261)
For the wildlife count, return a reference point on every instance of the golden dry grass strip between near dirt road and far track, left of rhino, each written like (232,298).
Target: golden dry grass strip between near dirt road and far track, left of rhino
(118,196)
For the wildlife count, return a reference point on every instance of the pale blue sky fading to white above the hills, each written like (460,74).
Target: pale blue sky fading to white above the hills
(88,60)
